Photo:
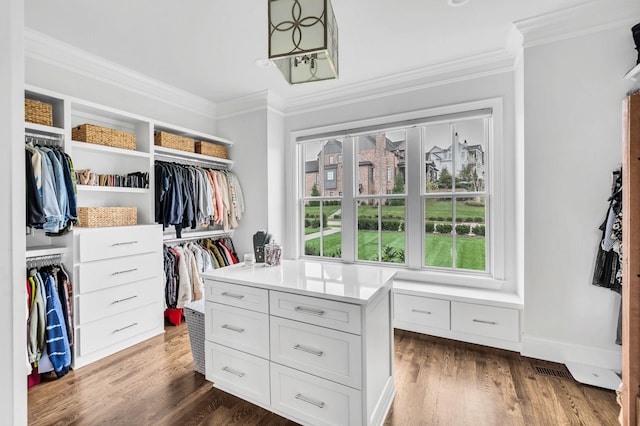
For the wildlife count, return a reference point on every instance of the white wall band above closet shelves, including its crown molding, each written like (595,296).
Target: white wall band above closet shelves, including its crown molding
(53,65)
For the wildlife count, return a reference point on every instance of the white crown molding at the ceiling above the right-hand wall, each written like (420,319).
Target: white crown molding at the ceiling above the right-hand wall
(586,18)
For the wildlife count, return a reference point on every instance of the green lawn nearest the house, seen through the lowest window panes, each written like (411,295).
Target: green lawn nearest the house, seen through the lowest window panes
(470,251)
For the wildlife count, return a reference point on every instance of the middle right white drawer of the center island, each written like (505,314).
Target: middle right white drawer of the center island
(327,353)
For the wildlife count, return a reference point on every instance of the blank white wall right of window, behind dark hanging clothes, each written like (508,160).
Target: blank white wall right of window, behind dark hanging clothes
(573,91)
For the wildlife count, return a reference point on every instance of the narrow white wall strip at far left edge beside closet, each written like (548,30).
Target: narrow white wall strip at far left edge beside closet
(13,375)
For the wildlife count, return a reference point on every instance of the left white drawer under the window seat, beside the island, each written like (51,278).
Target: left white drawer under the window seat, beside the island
(421,310)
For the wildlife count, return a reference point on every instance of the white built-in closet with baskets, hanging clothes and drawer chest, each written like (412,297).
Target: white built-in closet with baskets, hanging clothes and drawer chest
(92,200)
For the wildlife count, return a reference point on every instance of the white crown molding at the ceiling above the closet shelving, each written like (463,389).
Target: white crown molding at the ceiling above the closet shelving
(42,47)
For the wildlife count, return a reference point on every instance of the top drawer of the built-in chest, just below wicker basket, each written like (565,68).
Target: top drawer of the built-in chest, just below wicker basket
(118,241)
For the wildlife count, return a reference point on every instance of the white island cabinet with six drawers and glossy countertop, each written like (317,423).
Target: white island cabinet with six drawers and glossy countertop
(310,341)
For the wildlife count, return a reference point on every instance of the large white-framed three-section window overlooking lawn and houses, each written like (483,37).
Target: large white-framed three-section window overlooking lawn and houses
(432,210)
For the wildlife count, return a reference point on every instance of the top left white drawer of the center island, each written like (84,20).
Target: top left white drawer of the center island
(256,299)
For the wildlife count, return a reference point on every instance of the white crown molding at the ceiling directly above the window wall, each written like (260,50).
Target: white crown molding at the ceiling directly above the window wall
(484,64)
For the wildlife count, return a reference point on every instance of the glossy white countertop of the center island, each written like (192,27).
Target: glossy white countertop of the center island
(351,283)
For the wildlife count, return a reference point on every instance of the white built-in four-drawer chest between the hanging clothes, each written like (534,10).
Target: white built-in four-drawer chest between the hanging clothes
(119,296)
